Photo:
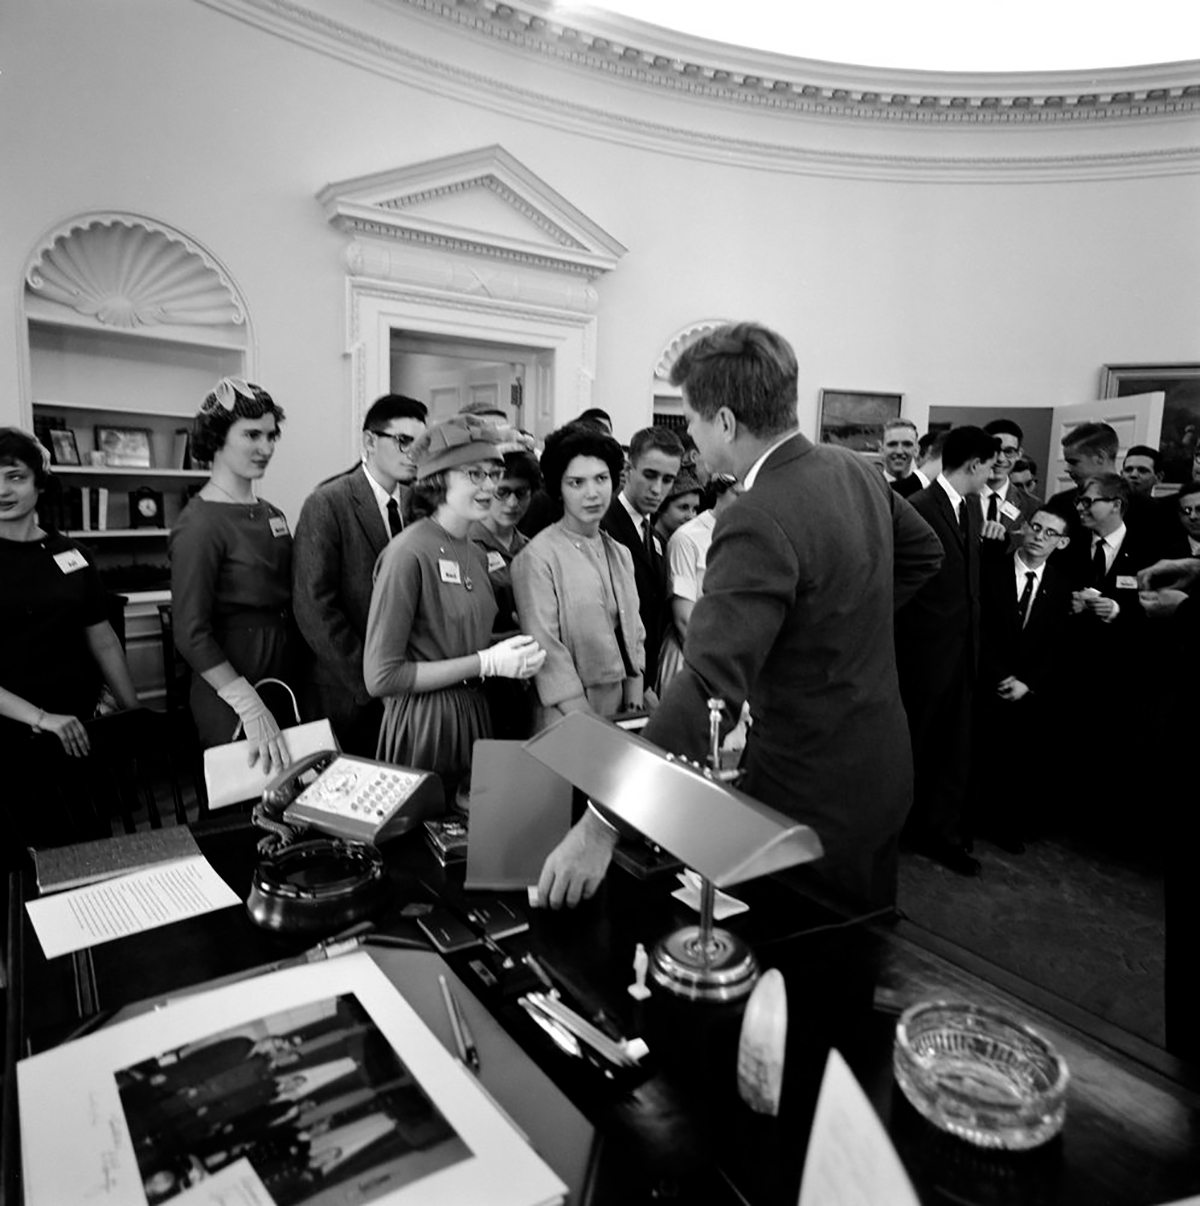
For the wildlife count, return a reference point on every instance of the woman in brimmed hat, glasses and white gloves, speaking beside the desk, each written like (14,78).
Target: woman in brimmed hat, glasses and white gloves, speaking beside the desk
(430,629)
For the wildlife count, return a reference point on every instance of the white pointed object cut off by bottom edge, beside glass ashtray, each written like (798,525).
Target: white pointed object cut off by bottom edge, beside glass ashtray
(851,1160)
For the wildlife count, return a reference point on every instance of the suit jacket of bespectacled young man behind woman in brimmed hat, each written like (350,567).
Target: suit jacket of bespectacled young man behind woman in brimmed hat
(339,537)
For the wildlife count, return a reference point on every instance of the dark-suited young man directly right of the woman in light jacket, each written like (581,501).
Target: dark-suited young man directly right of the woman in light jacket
(655,456)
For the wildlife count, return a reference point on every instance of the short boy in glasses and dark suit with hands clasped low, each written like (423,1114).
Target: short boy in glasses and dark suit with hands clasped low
(1025,608)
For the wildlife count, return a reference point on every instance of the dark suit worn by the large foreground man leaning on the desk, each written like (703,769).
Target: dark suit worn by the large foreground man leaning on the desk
(797,617)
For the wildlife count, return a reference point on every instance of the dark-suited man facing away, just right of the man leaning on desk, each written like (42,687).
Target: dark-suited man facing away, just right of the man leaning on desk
(938,652)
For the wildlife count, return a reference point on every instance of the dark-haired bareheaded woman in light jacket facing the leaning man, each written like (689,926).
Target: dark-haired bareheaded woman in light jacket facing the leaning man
(575,587)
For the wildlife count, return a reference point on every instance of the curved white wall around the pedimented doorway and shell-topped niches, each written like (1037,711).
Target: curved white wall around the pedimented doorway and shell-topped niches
(984,295)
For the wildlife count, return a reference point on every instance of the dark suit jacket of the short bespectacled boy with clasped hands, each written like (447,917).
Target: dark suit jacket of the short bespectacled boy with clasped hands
(1032,653)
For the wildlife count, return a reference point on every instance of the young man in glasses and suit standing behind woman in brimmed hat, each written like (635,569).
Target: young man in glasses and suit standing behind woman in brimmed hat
(344,526)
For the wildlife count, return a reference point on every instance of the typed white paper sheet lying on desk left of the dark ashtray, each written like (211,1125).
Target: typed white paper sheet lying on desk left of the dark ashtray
(145,900)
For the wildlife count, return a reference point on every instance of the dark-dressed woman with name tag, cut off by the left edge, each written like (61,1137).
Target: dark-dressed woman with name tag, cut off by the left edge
(56,642)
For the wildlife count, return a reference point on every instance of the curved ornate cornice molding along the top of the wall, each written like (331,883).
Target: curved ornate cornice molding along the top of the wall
(1163,96)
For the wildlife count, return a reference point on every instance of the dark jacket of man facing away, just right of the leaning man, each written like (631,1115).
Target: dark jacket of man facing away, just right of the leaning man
(940,628)
